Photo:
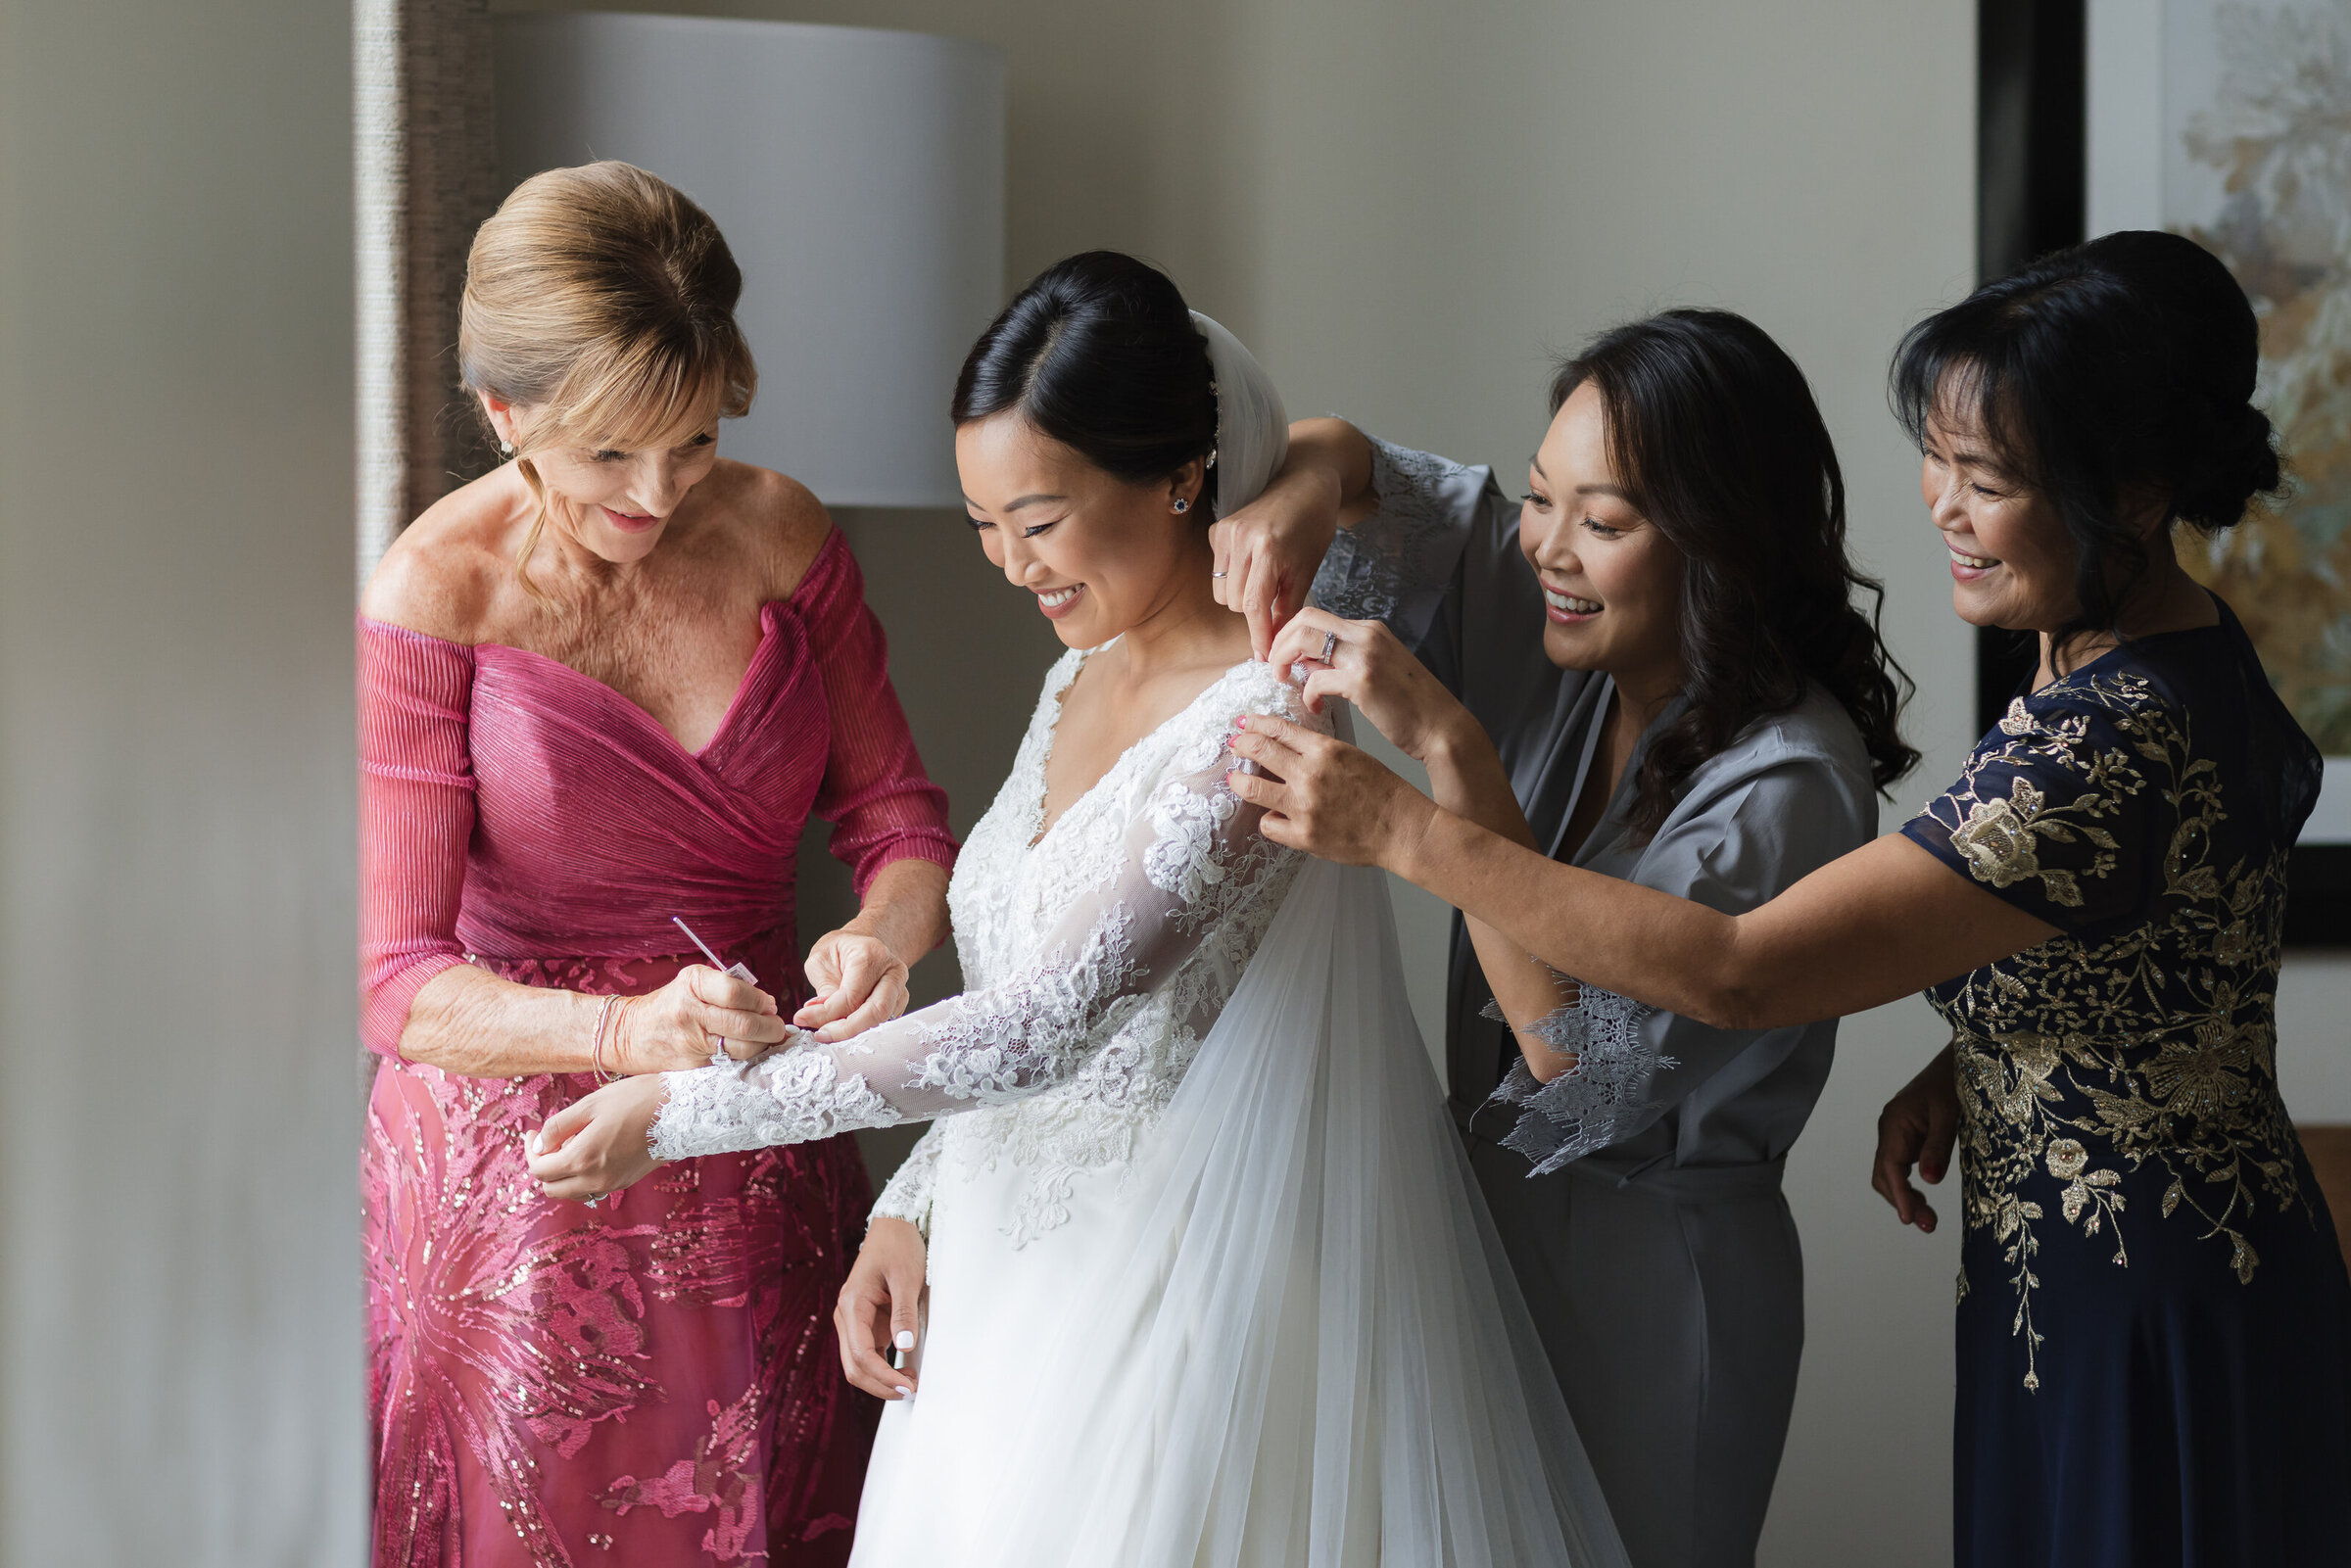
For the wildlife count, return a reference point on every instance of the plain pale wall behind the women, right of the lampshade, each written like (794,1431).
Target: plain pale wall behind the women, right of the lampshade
(1407,210)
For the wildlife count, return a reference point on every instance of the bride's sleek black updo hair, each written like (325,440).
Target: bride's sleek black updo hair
(1101,354)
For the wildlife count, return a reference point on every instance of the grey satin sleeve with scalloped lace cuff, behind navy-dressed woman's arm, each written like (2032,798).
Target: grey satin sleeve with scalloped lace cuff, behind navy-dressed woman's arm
(1732,847)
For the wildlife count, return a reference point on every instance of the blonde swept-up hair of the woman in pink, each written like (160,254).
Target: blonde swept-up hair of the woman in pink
(601,309)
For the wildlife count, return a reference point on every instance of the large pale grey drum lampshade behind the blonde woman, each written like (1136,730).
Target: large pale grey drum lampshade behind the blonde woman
(859,180)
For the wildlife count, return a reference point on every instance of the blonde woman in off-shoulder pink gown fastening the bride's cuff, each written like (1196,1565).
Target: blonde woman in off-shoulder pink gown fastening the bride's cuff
(601,688)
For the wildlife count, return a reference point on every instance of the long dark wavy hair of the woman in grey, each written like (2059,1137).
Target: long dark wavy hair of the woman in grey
(1717,441)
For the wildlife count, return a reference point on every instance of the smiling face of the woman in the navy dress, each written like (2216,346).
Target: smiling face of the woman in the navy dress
(2011,556)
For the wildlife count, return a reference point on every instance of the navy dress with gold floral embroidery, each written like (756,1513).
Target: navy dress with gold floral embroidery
(2155,1327)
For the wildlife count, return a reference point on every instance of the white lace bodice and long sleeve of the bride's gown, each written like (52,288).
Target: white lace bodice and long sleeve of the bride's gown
(1094,956)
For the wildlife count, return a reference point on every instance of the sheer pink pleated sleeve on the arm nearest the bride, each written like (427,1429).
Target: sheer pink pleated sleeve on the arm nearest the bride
(876,793)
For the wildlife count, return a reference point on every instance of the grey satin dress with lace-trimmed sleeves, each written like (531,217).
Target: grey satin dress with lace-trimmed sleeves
(1637,1195)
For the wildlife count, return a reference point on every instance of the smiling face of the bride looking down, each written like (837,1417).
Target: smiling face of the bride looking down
(1099,554)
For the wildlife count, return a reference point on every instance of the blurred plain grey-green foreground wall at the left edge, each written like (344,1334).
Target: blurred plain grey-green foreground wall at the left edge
(180,1304)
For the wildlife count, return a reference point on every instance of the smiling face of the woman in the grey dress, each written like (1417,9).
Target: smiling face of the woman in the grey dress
(1612,579)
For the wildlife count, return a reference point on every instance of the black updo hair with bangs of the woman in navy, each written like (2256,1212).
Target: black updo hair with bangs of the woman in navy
(2098,370)
